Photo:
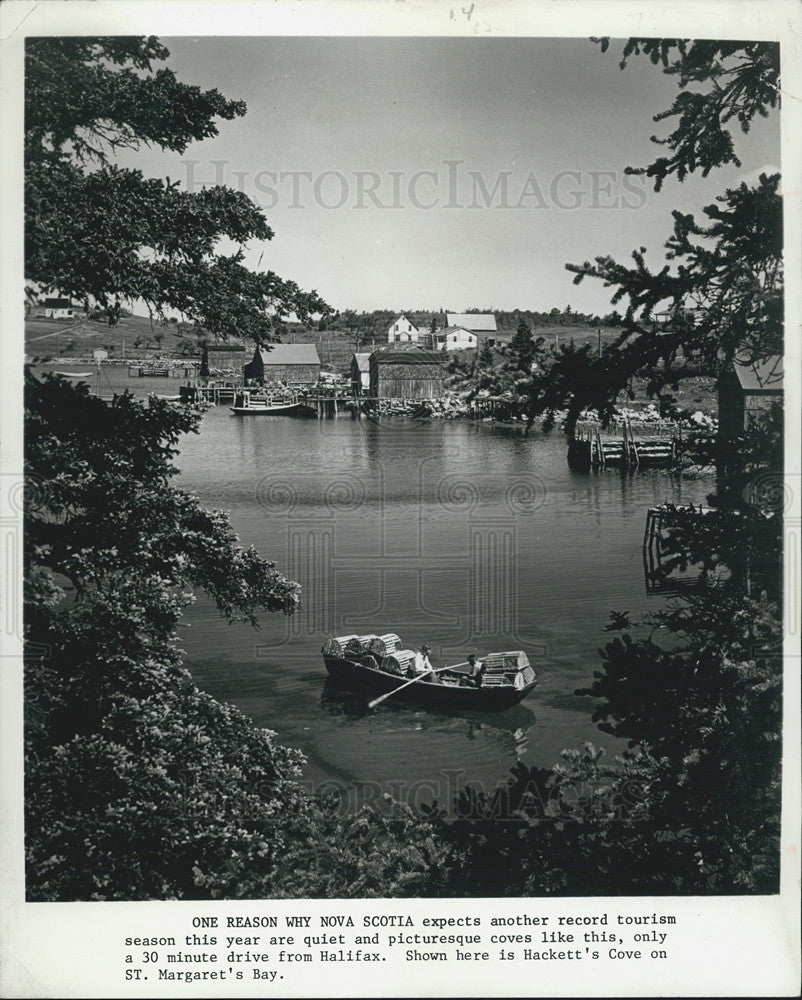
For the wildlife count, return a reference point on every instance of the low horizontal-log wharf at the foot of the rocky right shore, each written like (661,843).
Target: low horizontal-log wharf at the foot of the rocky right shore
(625,444)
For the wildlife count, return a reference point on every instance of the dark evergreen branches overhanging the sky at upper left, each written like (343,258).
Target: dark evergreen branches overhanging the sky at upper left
(108,235)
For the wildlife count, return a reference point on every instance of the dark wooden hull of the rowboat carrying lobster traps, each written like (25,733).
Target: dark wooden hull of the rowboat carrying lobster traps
(356,676)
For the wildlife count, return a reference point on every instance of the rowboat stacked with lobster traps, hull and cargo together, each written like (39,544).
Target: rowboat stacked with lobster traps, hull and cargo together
(505,683)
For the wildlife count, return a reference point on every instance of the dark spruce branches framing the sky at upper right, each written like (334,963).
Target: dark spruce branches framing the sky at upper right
(728,267)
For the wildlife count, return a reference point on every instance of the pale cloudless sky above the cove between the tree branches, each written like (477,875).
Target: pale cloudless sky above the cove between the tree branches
(443,173)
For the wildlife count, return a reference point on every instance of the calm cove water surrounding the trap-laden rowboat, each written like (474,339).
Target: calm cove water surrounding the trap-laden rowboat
(461,535)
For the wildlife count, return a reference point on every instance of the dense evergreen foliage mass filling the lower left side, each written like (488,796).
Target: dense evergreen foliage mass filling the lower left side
(139,786)
